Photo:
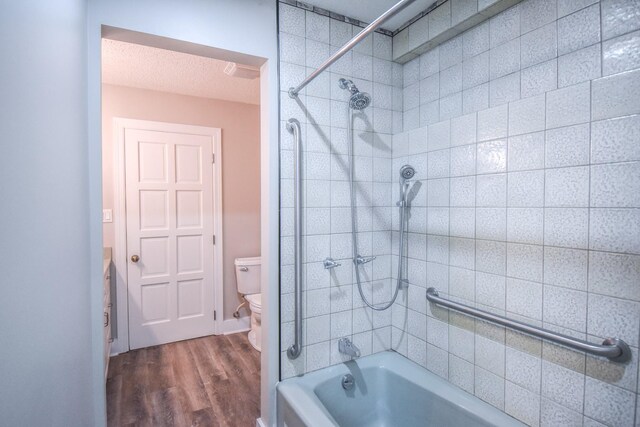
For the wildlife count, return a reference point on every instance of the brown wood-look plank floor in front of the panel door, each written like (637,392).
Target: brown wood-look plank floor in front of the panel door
(210,381)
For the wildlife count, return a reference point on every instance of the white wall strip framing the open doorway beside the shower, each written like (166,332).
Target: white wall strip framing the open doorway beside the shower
(244,26)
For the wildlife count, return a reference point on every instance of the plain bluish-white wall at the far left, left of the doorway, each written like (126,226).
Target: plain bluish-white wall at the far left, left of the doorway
(46,365)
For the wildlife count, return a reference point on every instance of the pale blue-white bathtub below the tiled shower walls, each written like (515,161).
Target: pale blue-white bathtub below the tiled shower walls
(389,390)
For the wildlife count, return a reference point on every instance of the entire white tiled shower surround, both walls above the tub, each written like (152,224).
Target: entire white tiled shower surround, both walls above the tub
(525,134)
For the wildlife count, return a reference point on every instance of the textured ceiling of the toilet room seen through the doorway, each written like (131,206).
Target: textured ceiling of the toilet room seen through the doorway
(144,67)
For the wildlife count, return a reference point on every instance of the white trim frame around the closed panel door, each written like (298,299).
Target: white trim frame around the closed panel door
(121,343)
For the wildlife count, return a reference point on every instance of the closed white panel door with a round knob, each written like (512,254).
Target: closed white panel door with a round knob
(170,227)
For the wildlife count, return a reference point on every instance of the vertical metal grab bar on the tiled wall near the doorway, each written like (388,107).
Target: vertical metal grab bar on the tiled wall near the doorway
(293,126)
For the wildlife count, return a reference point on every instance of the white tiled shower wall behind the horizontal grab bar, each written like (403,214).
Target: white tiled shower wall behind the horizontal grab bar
(526,136)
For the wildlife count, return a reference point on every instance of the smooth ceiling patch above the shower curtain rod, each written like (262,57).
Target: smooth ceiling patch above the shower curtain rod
(368,10)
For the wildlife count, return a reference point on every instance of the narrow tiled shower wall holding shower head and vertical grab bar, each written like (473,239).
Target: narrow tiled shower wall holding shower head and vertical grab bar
(332,307)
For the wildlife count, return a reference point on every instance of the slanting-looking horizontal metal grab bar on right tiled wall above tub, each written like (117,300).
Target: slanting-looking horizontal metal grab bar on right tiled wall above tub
(614,349)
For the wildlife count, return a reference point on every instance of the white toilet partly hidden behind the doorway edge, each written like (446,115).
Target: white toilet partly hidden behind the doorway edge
(248,282)
